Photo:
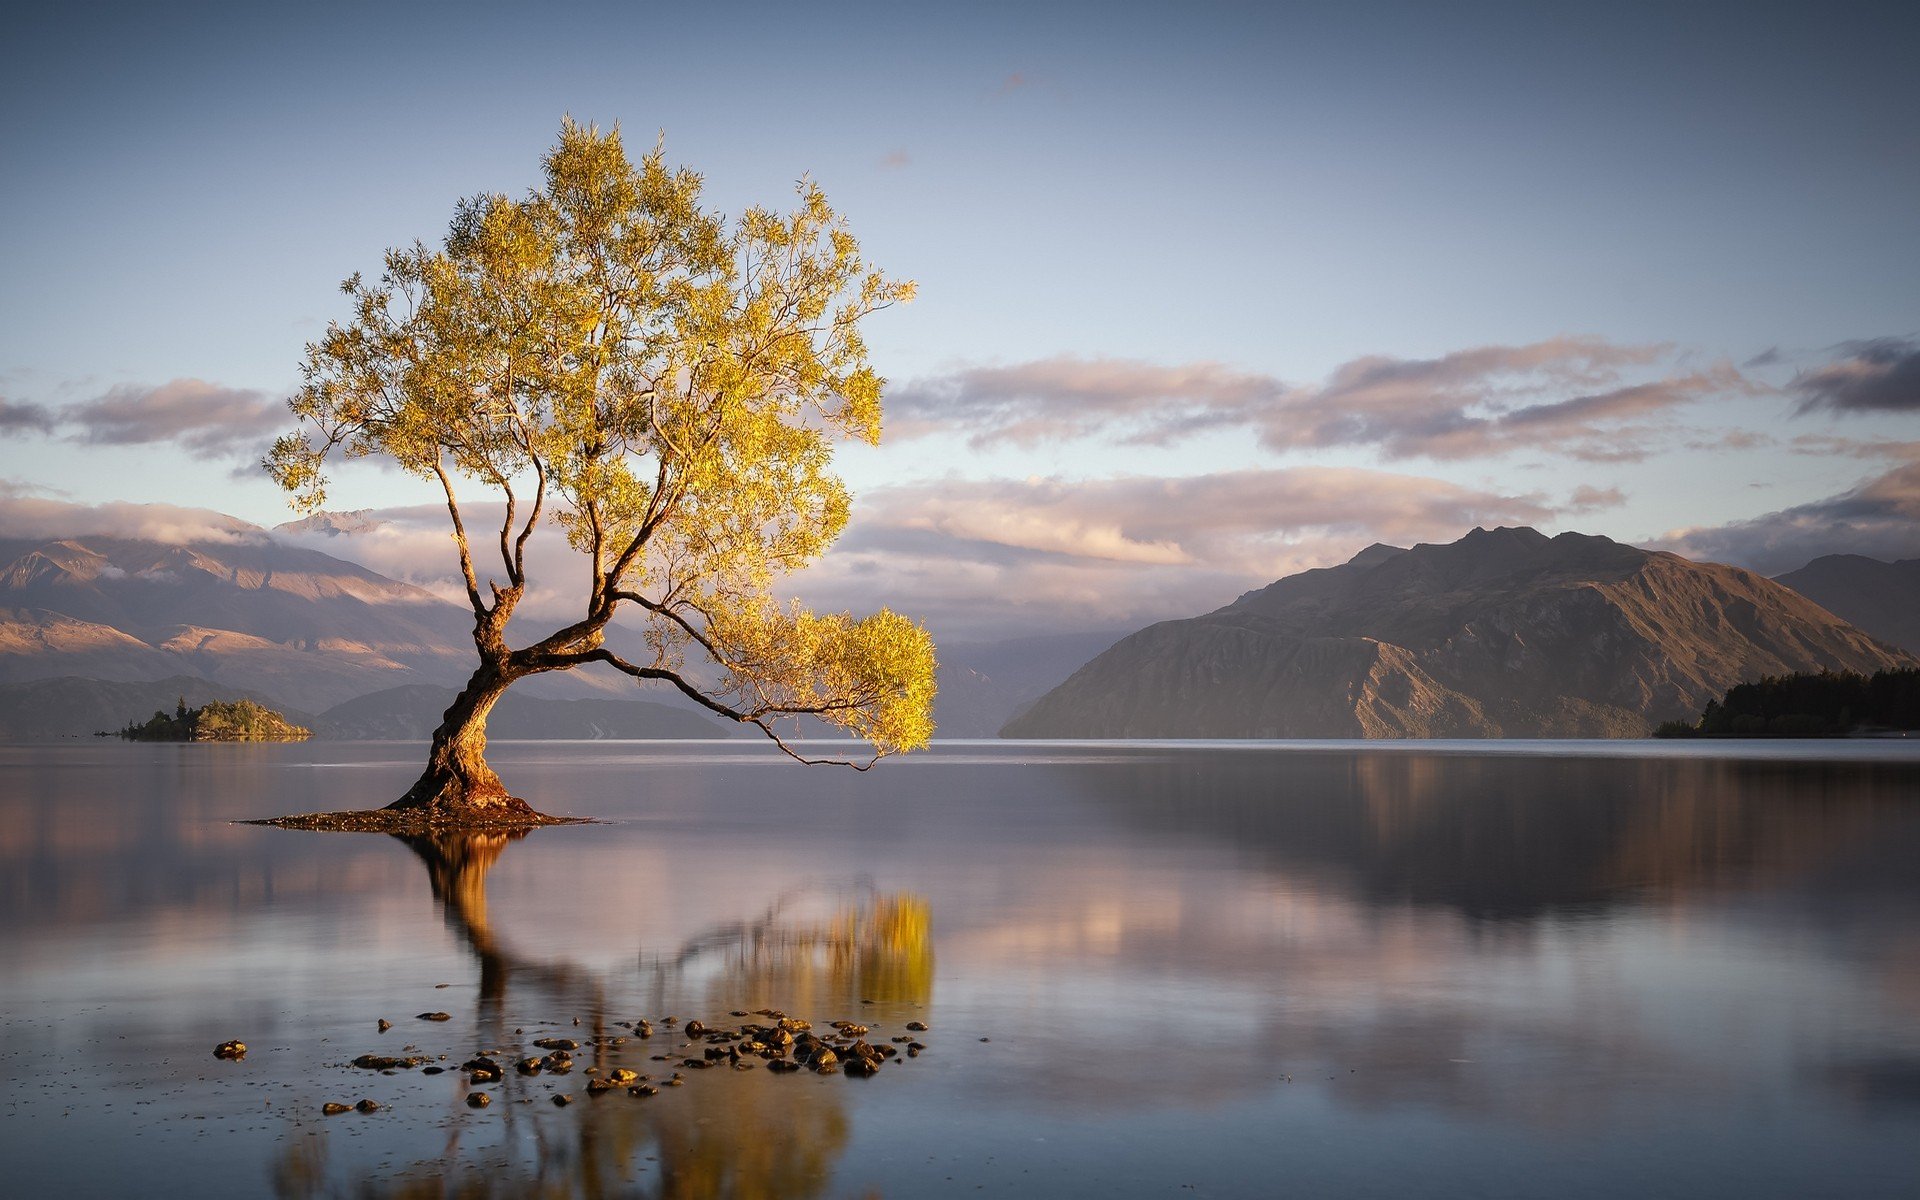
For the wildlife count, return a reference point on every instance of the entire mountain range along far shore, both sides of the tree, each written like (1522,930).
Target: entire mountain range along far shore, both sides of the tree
(1504,633)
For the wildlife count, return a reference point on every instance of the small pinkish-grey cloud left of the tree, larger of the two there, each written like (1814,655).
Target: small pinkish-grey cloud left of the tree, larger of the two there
(203,420)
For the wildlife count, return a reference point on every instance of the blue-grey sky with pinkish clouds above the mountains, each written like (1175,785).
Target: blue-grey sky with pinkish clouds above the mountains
(1209,293)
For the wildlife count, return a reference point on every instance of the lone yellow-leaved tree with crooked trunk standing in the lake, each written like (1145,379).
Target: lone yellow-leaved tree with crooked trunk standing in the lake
(667,387)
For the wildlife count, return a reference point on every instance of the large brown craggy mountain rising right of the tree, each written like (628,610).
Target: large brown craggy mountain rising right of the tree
(1500,635)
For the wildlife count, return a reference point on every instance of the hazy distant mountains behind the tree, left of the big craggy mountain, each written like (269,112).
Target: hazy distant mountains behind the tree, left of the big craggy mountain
(103,631)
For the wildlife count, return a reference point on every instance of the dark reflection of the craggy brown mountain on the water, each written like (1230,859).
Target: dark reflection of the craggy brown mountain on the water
(1524,836)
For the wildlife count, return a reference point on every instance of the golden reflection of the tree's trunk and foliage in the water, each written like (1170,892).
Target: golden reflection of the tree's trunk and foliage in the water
(721,1134)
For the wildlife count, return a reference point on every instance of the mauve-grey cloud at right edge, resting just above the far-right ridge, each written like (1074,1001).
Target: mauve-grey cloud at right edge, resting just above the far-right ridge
(1879,519)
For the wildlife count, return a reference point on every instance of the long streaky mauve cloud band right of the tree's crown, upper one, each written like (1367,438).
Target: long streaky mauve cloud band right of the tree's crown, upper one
(1585,398)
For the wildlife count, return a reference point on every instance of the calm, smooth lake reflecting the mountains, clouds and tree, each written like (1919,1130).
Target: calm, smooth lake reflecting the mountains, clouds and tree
(1145,971)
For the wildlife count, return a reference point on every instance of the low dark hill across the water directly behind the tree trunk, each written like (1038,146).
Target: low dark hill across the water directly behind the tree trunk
(412,713)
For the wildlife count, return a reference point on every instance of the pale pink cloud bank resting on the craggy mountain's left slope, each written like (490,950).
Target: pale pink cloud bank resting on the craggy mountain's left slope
(1001,558)
